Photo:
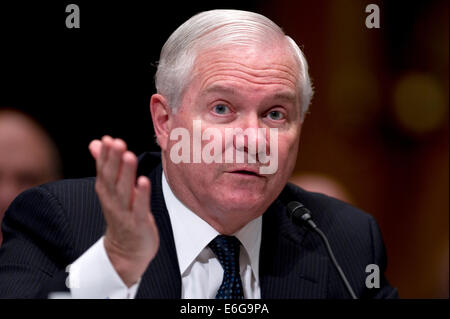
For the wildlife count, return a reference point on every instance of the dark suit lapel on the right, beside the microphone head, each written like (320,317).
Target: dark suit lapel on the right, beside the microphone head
(292,261)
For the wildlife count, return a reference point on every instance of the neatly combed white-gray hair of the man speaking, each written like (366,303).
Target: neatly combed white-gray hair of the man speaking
(212,28)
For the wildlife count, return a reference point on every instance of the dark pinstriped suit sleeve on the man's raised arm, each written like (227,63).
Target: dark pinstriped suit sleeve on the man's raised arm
(36,246)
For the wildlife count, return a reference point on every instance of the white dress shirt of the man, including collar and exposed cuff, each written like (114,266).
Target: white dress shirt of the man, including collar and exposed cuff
(93,276)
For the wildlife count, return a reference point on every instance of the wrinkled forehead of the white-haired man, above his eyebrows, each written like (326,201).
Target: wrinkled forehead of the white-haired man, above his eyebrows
(259,67)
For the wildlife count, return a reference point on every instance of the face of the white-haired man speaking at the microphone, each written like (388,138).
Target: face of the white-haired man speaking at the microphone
(236,87)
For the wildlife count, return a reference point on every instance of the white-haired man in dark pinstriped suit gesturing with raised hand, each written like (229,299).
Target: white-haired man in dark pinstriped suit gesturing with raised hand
(198,225)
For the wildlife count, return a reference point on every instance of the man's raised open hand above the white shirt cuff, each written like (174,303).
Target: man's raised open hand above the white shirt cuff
(131,238)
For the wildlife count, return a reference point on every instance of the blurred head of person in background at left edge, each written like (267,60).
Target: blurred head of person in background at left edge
(28,156)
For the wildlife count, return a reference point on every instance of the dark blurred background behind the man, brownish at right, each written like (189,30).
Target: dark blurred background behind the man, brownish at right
(378,123)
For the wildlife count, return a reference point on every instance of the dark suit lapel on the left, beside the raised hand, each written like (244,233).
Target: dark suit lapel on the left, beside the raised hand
(162,278)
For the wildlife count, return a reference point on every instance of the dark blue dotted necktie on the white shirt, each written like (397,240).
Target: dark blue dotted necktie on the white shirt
(227,249)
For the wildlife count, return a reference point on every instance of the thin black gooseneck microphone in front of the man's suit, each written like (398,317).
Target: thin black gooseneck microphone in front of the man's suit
(300,215)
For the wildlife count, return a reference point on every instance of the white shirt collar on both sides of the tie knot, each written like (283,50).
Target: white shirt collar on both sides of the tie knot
(191,240)
